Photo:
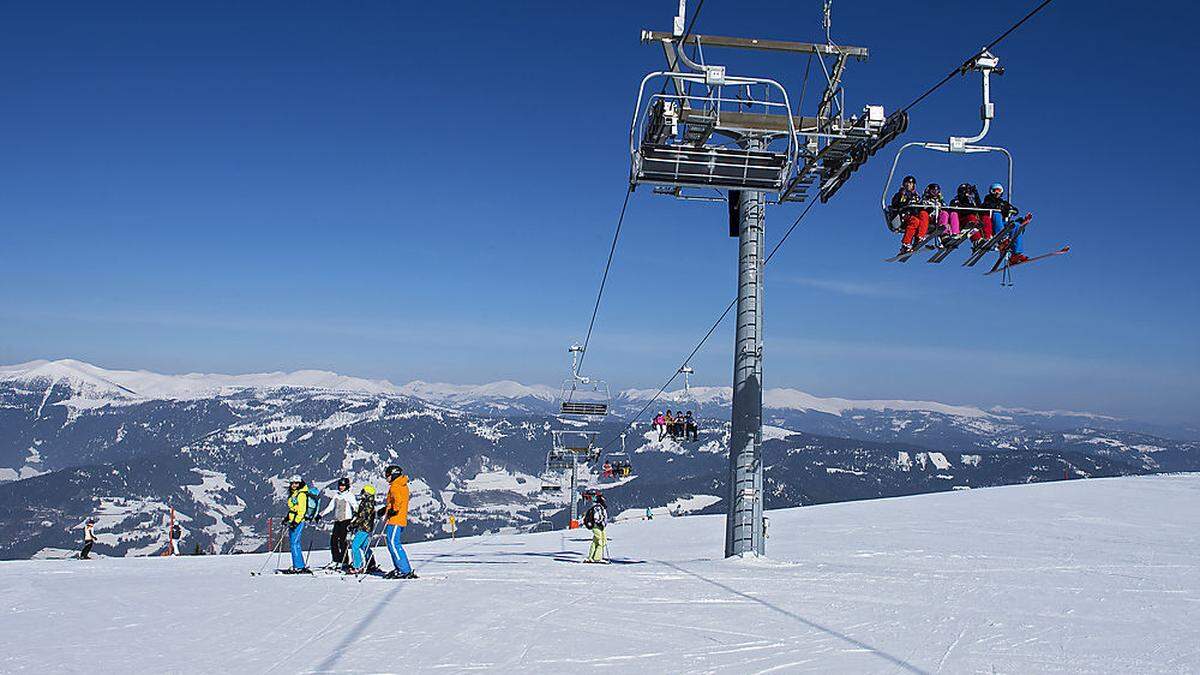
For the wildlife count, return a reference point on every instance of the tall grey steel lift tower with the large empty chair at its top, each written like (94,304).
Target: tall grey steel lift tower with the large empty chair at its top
(705,135)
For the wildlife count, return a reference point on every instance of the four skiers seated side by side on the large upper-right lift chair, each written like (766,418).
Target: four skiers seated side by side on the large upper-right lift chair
(981,220)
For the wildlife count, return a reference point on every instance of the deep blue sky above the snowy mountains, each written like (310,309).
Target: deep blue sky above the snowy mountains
(428,192)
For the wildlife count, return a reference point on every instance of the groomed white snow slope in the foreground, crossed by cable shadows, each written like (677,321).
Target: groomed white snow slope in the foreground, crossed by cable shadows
(1087,576)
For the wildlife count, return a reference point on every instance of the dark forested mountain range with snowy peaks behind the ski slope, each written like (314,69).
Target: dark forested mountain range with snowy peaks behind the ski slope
(77,440)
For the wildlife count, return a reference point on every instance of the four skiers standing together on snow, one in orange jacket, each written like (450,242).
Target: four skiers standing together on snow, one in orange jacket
(355,518)
